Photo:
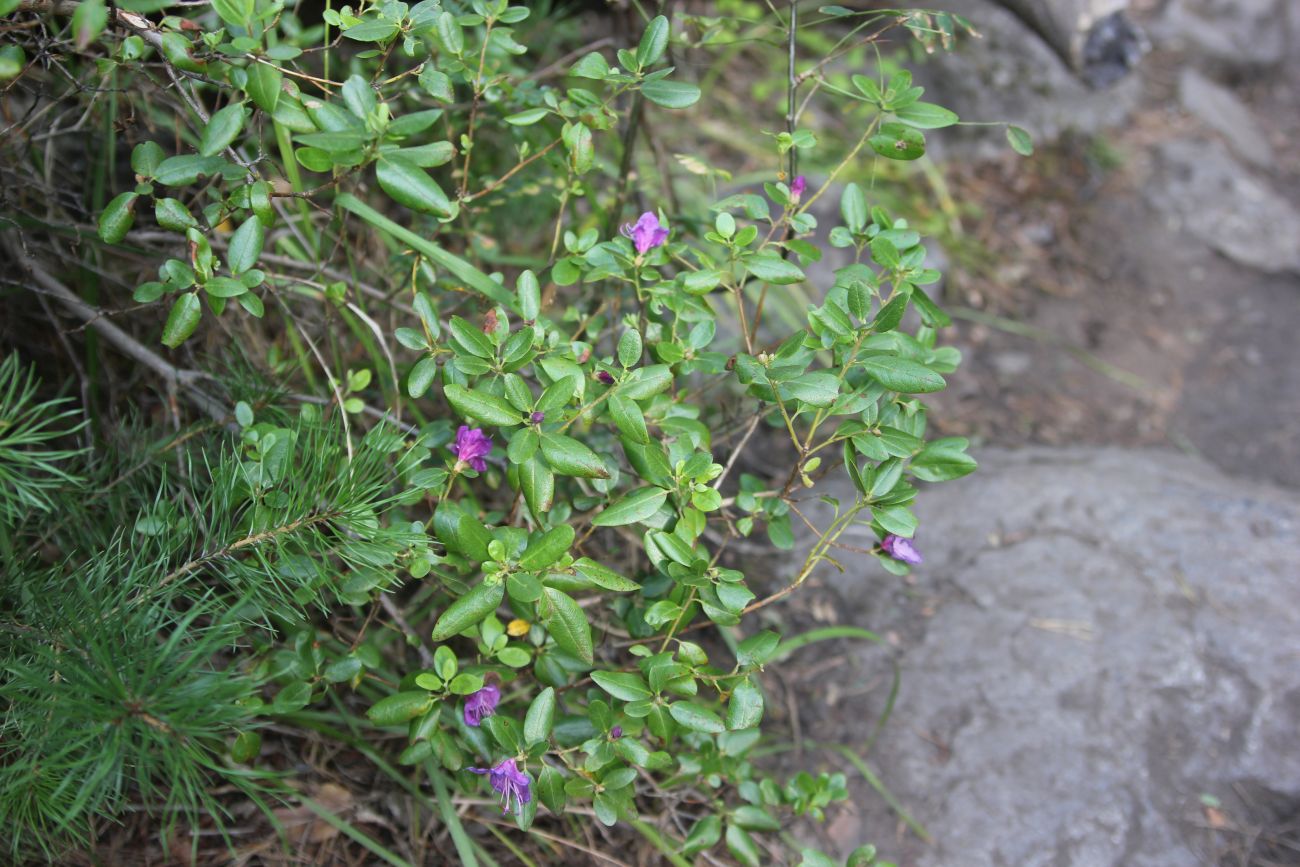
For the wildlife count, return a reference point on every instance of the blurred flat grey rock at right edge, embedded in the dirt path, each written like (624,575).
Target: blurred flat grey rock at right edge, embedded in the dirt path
(1202,189)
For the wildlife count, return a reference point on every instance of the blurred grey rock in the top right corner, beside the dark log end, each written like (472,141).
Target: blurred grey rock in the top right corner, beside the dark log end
(1238,37)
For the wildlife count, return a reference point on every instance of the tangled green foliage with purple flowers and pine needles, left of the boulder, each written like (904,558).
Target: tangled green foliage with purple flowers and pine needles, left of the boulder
(456,480)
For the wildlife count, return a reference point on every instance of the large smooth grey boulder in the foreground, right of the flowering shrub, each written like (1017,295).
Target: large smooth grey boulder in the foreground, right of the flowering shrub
(1097,640)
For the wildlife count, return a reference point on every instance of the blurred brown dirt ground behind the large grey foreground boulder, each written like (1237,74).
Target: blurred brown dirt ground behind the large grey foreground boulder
(1107,326)
